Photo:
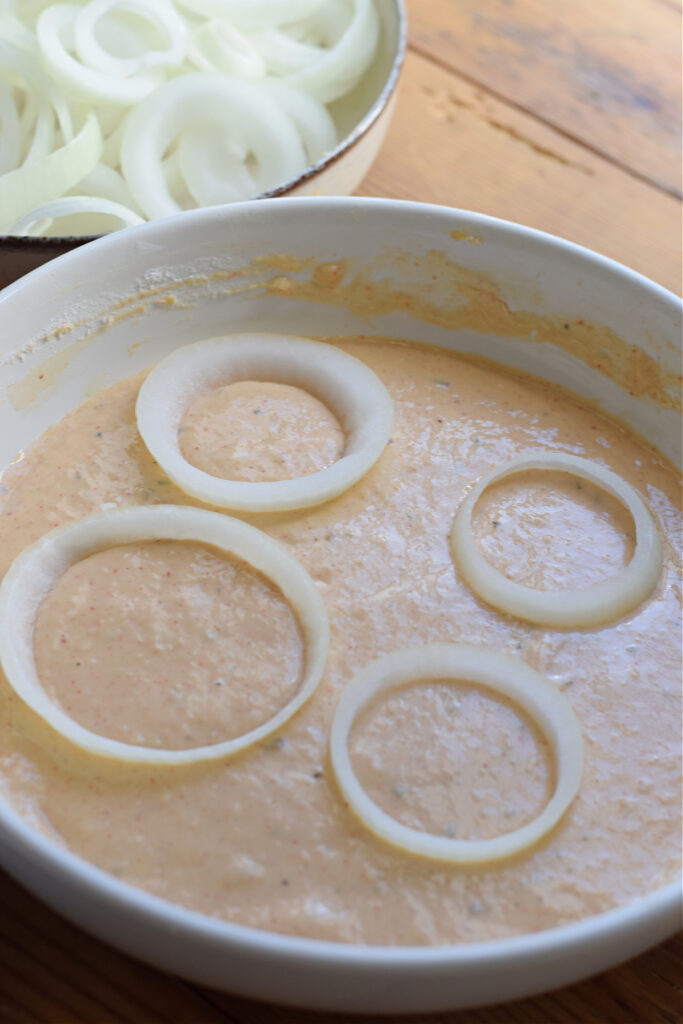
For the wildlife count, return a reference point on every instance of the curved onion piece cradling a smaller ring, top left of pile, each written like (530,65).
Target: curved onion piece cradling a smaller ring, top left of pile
(91,87)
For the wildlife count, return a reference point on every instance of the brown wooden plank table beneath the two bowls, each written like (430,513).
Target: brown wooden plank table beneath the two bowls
(561,116)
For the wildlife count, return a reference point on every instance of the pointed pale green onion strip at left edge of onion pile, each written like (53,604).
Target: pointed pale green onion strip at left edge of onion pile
(45,180)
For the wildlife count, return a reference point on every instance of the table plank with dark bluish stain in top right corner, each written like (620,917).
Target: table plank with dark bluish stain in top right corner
(607,74)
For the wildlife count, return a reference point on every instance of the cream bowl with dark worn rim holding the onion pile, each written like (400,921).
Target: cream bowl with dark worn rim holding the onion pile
(362,119)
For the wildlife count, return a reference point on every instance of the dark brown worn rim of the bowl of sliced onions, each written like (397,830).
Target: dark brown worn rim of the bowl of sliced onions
(29,243)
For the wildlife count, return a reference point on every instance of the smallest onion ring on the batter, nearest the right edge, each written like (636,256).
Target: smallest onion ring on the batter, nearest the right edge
(592,607)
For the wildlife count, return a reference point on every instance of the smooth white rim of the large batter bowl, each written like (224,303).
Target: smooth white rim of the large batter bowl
(661,908)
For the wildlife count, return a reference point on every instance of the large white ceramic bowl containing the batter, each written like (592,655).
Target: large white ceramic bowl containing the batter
(60,342)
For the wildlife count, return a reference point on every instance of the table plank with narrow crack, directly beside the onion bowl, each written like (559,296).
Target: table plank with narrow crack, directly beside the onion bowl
(476,152)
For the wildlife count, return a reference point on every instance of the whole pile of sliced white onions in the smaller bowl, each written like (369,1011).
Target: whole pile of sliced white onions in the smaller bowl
(190,103)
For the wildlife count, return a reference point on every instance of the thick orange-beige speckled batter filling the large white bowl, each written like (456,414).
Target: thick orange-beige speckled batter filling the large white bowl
(265,838)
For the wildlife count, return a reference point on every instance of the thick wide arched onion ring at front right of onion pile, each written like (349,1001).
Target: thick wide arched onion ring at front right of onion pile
(189,102)
